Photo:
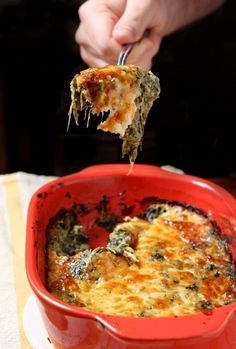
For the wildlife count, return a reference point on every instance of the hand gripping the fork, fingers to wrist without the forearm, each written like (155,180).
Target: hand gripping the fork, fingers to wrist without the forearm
(108,24)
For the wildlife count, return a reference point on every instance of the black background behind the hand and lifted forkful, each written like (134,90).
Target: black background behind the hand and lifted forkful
(191,126)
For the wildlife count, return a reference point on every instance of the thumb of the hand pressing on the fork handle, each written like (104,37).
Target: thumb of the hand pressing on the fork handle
(137,17)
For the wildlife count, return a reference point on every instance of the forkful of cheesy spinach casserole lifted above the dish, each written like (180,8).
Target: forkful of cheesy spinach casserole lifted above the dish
(125,92)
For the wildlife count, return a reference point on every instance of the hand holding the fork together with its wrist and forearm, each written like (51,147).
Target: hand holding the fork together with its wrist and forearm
(105,25)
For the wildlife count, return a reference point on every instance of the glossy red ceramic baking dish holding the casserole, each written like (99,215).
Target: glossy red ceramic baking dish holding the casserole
(70,327)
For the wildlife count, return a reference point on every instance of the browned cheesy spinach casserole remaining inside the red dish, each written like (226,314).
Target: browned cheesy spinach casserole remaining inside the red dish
(169,261)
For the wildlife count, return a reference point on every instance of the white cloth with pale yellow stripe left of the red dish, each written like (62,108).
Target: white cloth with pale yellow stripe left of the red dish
(15,192)
